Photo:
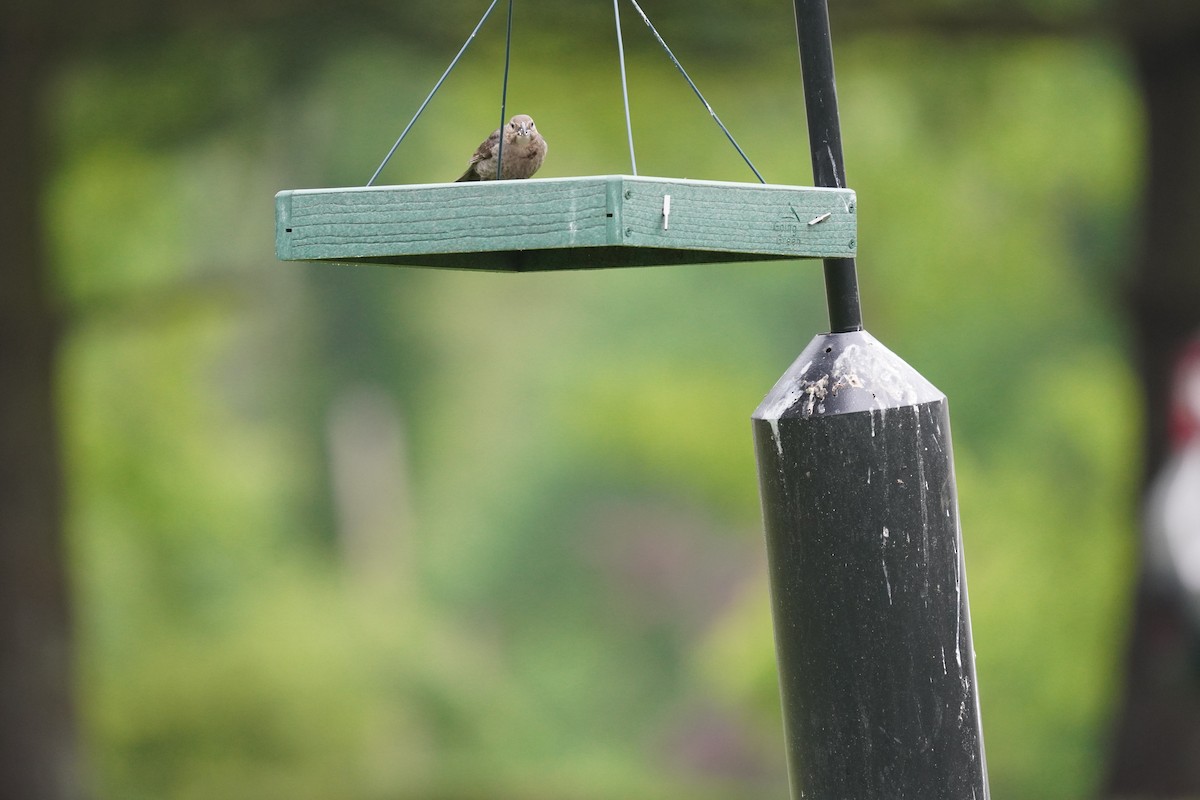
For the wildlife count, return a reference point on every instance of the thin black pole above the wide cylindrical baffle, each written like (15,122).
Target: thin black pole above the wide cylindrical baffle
(825,142)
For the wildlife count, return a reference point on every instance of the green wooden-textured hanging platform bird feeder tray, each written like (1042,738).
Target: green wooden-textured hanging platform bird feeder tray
(562,224)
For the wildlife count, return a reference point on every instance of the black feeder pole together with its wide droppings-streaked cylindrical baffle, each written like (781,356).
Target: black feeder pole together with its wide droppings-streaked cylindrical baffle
(873,628)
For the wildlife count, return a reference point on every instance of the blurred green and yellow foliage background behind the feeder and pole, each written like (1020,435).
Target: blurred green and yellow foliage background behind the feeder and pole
(280,531)
